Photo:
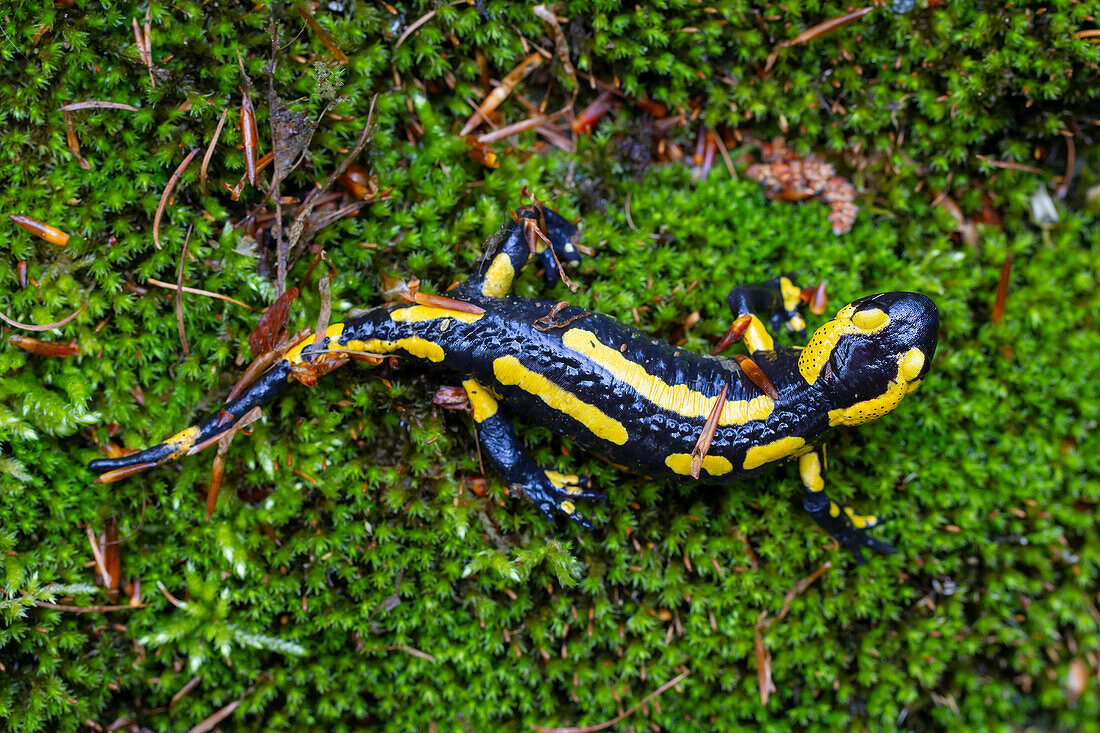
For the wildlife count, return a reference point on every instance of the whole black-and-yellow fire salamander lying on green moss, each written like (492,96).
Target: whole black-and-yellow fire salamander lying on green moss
(636,401)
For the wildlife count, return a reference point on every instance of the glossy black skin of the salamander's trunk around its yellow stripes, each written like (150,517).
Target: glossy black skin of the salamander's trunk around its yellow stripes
(655,433)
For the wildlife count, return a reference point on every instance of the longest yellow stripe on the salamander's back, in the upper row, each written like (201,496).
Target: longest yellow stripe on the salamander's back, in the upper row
(678,399)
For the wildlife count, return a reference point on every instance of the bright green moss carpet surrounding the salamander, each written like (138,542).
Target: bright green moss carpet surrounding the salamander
(351,575)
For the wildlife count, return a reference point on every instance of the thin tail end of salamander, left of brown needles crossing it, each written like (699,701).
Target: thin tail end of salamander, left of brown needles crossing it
(197,437)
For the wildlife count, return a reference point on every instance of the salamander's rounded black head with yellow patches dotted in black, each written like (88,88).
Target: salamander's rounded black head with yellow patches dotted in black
(872,355)
